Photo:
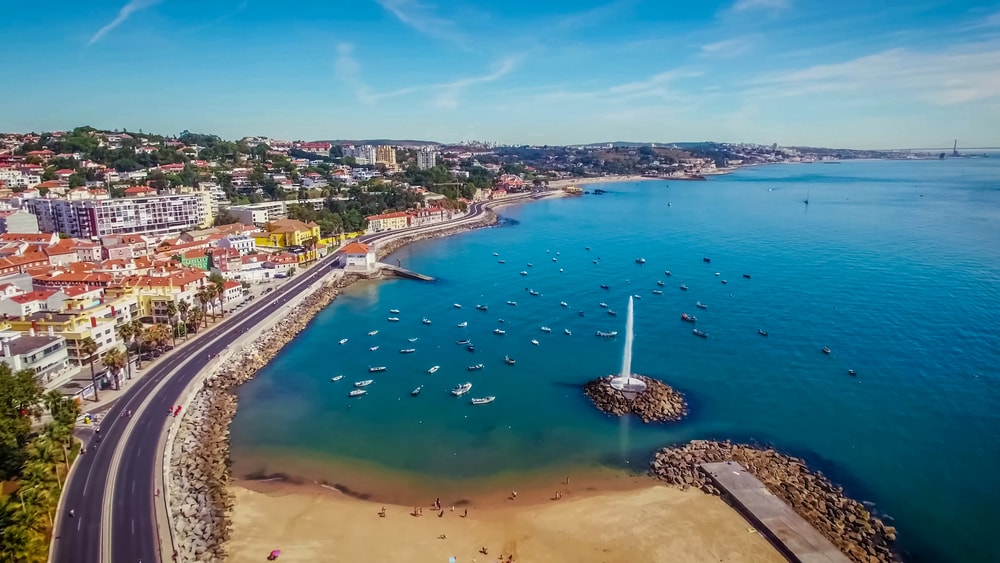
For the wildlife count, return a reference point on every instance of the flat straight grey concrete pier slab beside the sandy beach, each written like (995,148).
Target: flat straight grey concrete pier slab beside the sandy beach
(795,538)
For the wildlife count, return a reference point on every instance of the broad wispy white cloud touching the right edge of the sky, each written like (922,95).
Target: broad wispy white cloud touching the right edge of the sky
(967,74)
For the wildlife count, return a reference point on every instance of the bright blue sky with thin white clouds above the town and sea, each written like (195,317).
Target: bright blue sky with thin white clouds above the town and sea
(849,73)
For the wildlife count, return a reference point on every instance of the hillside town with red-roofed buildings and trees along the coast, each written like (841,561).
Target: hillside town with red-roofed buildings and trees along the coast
(114,244)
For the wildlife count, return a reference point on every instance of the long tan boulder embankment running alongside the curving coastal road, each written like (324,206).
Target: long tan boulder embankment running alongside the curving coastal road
(199,469)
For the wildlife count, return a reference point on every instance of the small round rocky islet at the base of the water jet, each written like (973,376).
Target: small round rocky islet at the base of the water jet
(658,403)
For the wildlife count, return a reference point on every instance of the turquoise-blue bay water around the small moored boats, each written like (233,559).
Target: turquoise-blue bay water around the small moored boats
(893,265)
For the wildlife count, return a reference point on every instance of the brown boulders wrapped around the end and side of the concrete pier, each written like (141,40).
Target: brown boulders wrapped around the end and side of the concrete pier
(844,521)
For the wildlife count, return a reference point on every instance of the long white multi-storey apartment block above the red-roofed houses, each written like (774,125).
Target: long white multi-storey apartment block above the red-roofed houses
(149,215)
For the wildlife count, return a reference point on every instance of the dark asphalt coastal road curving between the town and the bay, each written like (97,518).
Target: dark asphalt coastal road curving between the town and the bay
(111,488)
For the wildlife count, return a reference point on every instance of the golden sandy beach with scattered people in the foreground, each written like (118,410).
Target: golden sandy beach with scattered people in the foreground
(652,522)
